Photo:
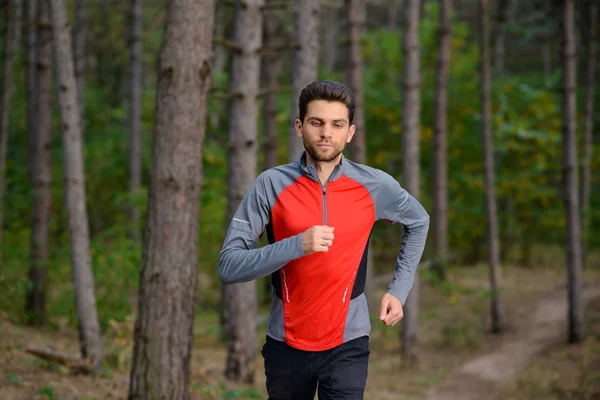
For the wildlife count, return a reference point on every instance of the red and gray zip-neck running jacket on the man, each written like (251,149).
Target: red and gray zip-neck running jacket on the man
(318,300)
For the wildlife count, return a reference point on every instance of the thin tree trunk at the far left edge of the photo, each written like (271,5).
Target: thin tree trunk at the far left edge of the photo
(7,89)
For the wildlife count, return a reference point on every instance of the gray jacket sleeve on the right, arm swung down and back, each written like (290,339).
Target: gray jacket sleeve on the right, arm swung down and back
(395,204)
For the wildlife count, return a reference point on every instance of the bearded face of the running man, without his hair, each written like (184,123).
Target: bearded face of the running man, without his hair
(326,130)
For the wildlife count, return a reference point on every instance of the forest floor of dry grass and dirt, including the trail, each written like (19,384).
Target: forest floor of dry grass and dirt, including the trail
(459,359)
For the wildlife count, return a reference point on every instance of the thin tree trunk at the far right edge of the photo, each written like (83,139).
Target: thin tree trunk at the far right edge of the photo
(588,126)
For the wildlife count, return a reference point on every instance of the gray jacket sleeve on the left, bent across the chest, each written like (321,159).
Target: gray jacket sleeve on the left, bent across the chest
(240,259)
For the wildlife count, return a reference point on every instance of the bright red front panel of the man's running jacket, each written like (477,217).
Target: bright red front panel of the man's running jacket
(316,289)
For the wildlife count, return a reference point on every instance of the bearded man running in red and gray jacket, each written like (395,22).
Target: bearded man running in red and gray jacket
(318,213)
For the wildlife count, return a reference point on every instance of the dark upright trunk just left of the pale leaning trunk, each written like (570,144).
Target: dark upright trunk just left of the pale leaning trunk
(41,160)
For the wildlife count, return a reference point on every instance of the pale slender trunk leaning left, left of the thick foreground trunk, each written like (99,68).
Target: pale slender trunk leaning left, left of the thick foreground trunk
(83,278)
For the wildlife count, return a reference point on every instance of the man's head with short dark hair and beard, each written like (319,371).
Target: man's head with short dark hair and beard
(325,123)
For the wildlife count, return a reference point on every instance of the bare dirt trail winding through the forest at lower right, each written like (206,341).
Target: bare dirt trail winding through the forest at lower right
(538,327)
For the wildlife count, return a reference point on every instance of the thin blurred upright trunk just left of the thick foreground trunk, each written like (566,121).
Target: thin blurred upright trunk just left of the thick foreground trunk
(134,114)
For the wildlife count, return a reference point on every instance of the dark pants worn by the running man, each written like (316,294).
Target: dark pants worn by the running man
(341,372)
